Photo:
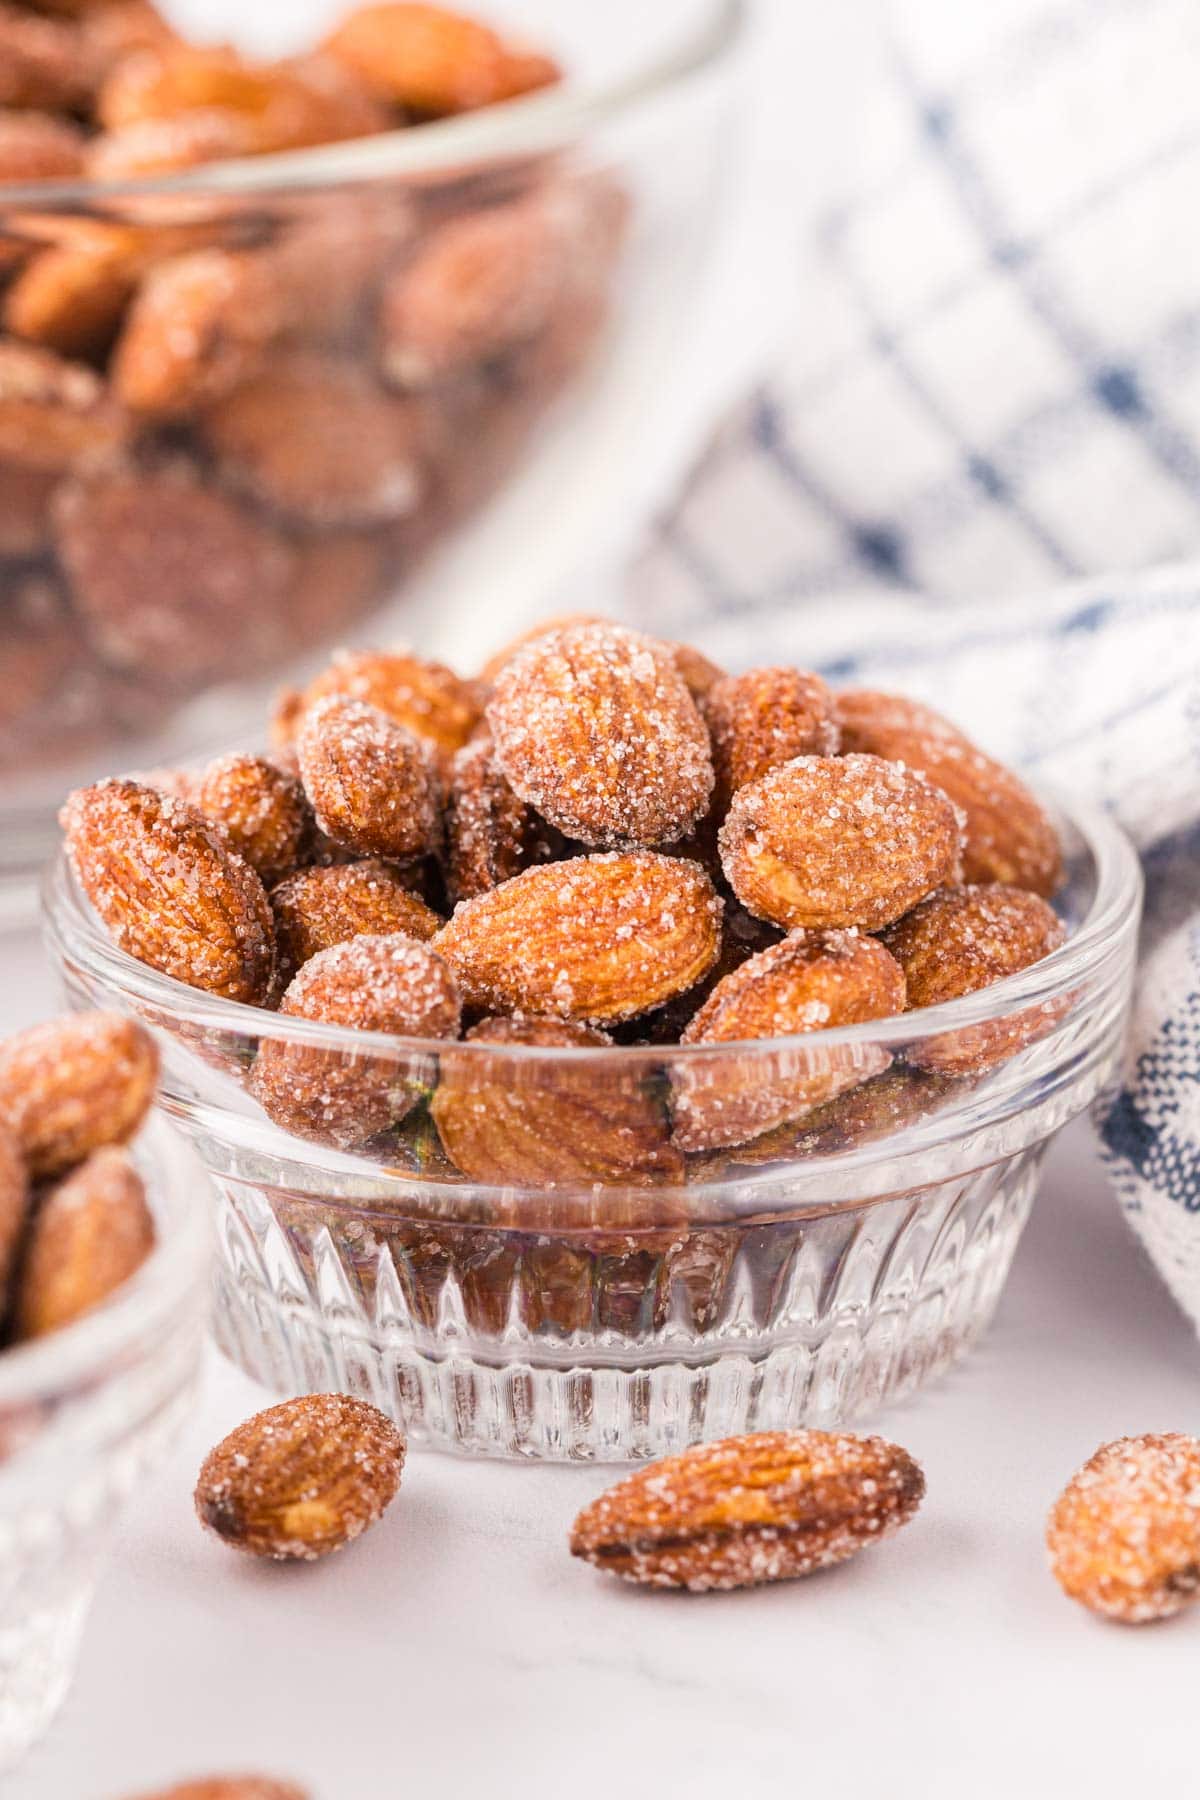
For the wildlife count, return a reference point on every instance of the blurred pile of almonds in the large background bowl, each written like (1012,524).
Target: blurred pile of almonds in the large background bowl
(228,427)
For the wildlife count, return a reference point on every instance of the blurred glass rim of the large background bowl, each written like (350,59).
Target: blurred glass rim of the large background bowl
(532,125)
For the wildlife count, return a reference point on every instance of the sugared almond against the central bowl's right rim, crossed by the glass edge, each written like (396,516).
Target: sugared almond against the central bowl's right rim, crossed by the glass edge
(967,939)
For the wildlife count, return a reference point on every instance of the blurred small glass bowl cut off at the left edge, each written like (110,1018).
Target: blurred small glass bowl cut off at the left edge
(84,1416)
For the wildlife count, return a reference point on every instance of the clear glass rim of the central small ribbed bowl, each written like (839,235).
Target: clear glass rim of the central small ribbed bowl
(76,935)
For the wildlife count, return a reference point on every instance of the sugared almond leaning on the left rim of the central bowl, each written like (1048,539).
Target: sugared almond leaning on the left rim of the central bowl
(170,892)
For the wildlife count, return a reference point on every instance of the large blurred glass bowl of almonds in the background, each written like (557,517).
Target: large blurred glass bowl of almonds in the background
(148,625)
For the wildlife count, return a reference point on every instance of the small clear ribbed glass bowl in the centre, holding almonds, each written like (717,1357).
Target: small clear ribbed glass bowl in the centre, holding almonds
(629,1302)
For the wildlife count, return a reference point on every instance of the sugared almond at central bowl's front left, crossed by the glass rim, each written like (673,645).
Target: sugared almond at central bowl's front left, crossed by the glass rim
(372,984)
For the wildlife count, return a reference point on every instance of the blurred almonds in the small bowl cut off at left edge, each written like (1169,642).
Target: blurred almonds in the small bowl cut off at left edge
(75,1219)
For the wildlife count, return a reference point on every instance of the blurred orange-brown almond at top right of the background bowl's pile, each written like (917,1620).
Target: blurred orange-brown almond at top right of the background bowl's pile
(434,62)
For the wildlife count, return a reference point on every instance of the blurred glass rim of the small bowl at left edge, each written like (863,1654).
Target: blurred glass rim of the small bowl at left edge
(177,1266)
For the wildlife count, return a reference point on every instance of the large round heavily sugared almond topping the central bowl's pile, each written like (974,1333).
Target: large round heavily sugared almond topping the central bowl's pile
(596,730)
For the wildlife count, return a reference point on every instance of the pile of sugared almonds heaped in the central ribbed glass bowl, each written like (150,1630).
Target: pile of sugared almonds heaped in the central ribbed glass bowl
(600,840)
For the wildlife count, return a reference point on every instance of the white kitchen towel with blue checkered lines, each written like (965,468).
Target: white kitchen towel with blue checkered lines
(983,436)
